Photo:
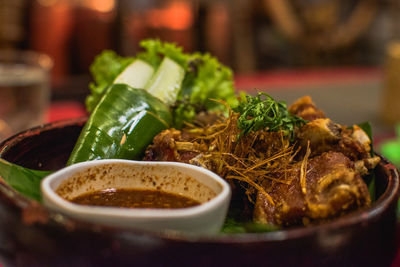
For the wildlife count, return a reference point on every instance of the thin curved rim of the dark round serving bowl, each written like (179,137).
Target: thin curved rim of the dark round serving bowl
(361,216)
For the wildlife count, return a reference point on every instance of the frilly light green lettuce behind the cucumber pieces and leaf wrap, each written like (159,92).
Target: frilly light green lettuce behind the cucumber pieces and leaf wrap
(205,78)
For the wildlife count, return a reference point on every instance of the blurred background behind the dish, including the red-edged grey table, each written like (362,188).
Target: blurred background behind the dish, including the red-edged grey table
(337,51)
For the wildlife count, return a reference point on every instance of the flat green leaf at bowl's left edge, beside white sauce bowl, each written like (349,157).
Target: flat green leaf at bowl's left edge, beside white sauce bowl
(24,180)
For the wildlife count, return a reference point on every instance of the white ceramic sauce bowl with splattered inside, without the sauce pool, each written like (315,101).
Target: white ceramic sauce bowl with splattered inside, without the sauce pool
(209,189)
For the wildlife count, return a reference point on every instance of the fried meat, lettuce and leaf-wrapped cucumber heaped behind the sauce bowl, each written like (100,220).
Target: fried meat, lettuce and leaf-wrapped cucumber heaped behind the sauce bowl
(289,167)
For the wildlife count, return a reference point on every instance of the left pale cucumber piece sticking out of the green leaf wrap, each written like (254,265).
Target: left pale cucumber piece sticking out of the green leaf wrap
(136,75)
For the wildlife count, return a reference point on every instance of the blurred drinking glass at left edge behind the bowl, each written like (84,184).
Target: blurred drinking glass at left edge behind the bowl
(24,90)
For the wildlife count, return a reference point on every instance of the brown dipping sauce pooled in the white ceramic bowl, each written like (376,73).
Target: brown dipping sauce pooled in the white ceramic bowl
(135,198)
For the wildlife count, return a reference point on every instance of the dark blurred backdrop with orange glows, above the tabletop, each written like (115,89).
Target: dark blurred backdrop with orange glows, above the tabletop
(248,35)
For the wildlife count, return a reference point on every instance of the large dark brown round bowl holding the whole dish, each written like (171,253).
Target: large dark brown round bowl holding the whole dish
(31,235)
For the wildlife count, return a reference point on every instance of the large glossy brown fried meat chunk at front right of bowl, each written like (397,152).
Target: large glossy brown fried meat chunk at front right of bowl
(332,188)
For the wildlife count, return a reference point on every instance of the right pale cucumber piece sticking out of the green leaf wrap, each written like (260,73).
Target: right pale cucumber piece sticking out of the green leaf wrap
(166,82)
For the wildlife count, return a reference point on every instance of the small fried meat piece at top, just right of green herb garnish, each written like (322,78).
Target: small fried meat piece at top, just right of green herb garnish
(305,108)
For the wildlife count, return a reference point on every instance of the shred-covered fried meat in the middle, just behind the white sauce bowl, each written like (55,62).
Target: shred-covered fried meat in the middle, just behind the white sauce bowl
(217,145)
